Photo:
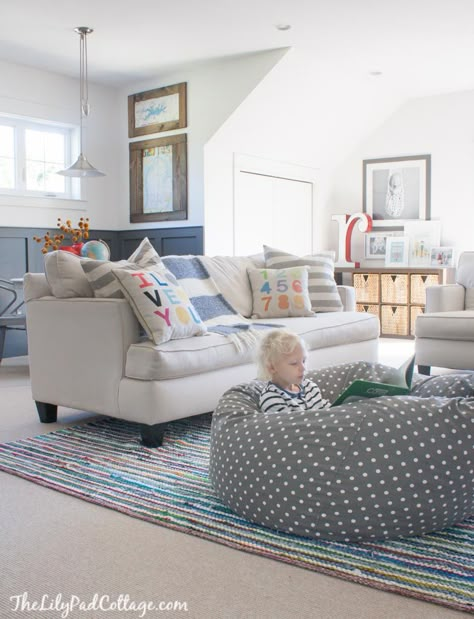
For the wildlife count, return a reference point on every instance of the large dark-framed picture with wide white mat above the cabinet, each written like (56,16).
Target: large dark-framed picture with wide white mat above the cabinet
(397,189)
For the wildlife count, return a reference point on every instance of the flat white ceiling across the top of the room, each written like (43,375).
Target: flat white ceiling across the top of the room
(422,46)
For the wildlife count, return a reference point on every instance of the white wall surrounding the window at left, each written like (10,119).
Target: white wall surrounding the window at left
(48,96)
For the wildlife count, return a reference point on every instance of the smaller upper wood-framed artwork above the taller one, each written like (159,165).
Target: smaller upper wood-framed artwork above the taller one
(153,111)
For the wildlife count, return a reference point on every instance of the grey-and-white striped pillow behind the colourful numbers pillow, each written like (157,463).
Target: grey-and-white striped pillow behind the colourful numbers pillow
(322,286)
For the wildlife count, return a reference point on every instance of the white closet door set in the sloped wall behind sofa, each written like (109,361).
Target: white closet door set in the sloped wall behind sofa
(272,211)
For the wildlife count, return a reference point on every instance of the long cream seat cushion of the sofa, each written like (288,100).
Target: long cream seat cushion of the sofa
(179,358)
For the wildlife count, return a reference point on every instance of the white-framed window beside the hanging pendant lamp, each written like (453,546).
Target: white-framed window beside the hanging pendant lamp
(31,154)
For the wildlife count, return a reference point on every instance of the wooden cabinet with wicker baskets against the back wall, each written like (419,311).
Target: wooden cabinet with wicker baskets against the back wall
(396,295)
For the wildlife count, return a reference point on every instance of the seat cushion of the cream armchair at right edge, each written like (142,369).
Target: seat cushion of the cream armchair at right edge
(446,325)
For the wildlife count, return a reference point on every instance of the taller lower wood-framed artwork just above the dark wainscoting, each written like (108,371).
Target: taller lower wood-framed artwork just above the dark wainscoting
(158,179)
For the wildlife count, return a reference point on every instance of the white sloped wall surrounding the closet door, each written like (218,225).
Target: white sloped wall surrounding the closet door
(299,114)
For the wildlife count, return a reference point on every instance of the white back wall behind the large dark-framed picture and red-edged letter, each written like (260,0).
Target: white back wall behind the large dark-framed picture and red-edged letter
(442,126)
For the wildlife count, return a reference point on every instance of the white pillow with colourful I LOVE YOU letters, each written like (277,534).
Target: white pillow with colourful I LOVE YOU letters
(160,304)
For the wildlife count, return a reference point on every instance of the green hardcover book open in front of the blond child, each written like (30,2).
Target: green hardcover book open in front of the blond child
(400,385)
